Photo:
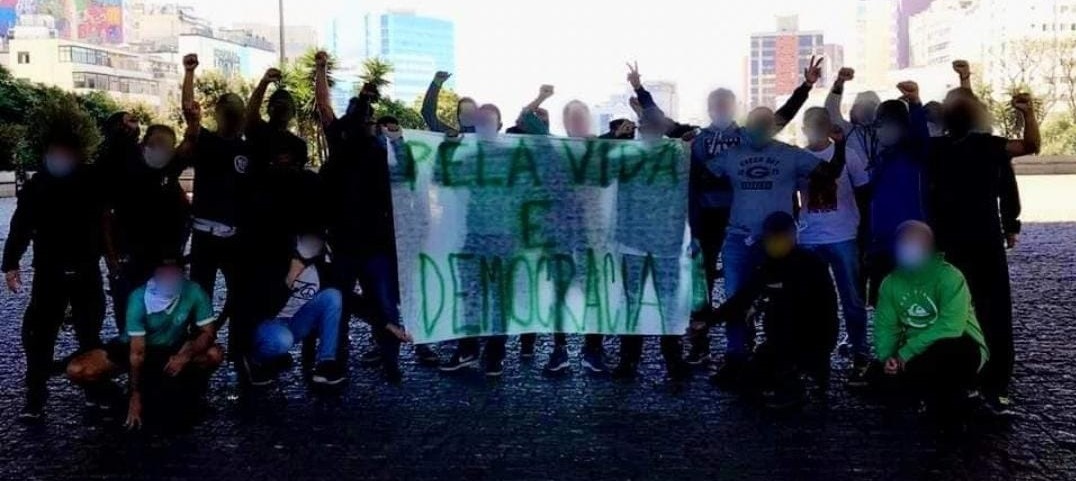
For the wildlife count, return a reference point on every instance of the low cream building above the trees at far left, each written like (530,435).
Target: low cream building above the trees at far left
(37,54)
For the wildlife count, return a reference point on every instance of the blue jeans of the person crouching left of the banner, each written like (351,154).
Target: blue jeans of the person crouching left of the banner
(276,337)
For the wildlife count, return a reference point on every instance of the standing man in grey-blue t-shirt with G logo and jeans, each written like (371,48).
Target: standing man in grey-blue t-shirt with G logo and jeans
(764,175)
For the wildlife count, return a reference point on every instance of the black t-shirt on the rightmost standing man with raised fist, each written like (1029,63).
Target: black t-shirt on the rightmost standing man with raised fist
(972,189)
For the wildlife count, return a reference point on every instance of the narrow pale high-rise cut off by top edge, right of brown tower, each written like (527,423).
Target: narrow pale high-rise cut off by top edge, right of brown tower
(875,52)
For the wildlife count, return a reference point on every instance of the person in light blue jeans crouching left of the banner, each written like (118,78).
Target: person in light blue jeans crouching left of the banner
(307,304)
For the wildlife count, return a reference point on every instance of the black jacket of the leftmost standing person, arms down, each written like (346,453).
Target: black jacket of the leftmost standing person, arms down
(63,217)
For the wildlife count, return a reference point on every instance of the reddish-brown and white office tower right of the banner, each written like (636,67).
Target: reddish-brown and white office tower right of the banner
(777,61)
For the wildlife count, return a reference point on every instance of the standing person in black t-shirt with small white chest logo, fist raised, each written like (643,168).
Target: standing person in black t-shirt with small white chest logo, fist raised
(221,162)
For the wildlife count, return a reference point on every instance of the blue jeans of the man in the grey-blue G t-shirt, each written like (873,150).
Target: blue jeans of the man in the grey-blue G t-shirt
(740,261)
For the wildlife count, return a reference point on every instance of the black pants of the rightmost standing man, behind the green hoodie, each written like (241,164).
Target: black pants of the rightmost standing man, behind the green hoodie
(986,268)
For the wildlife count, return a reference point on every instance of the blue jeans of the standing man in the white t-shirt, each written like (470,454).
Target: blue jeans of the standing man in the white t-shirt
(844,259)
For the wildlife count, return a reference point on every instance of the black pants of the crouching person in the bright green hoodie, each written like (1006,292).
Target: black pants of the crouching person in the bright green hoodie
(940,376)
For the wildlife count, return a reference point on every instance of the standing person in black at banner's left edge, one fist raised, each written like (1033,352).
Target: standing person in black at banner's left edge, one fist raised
(360,219)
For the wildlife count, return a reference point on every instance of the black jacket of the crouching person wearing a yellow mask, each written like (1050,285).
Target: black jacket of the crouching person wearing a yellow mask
(799,303)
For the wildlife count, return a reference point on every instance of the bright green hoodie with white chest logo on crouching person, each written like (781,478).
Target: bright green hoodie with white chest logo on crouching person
(918,308)
